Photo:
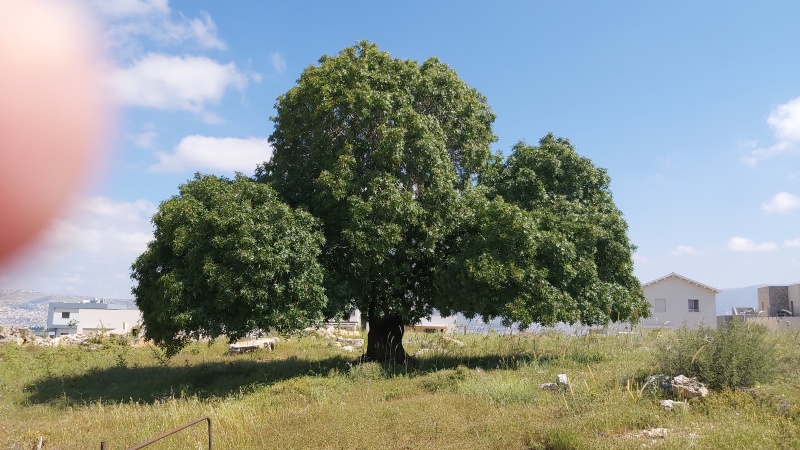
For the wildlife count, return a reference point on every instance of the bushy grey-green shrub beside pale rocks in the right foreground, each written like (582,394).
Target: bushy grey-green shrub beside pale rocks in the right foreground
(737,355)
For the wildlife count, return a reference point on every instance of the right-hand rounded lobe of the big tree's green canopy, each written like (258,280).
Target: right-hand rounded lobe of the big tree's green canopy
(543,242)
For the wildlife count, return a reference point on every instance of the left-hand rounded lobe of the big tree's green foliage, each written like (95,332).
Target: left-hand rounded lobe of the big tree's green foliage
(228,258)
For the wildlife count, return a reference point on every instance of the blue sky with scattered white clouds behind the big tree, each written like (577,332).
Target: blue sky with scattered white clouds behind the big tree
(692,107)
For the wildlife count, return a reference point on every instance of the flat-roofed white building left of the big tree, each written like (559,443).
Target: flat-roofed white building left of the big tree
(91,316)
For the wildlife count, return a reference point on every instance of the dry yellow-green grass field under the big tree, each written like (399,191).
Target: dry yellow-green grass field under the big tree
(308,394)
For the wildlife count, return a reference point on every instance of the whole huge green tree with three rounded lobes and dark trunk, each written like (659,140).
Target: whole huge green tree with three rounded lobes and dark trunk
(395,205)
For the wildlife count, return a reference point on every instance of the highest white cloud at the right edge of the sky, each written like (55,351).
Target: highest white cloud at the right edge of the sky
(785,123)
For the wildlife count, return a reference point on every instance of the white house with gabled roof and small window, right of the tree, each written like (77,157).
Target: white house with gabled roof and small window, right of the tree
(676,301)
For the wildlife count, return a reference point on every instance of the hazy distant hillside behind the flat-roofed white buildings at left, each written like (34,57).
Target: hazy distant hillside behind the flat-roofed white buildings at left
(29,309)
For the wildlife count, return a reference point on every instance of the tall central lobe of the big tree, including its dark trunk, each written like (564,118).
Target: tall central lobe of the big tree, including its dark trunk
(379,149)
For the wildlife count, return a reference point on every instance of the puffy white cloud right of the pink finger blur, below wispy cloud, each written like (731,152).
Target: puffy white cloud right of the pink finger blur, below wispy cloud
(175,82)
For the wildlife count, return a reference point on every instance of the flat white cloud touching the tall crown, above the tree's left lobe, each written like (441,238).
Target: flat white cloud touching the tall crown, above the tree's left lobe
(211,153)
